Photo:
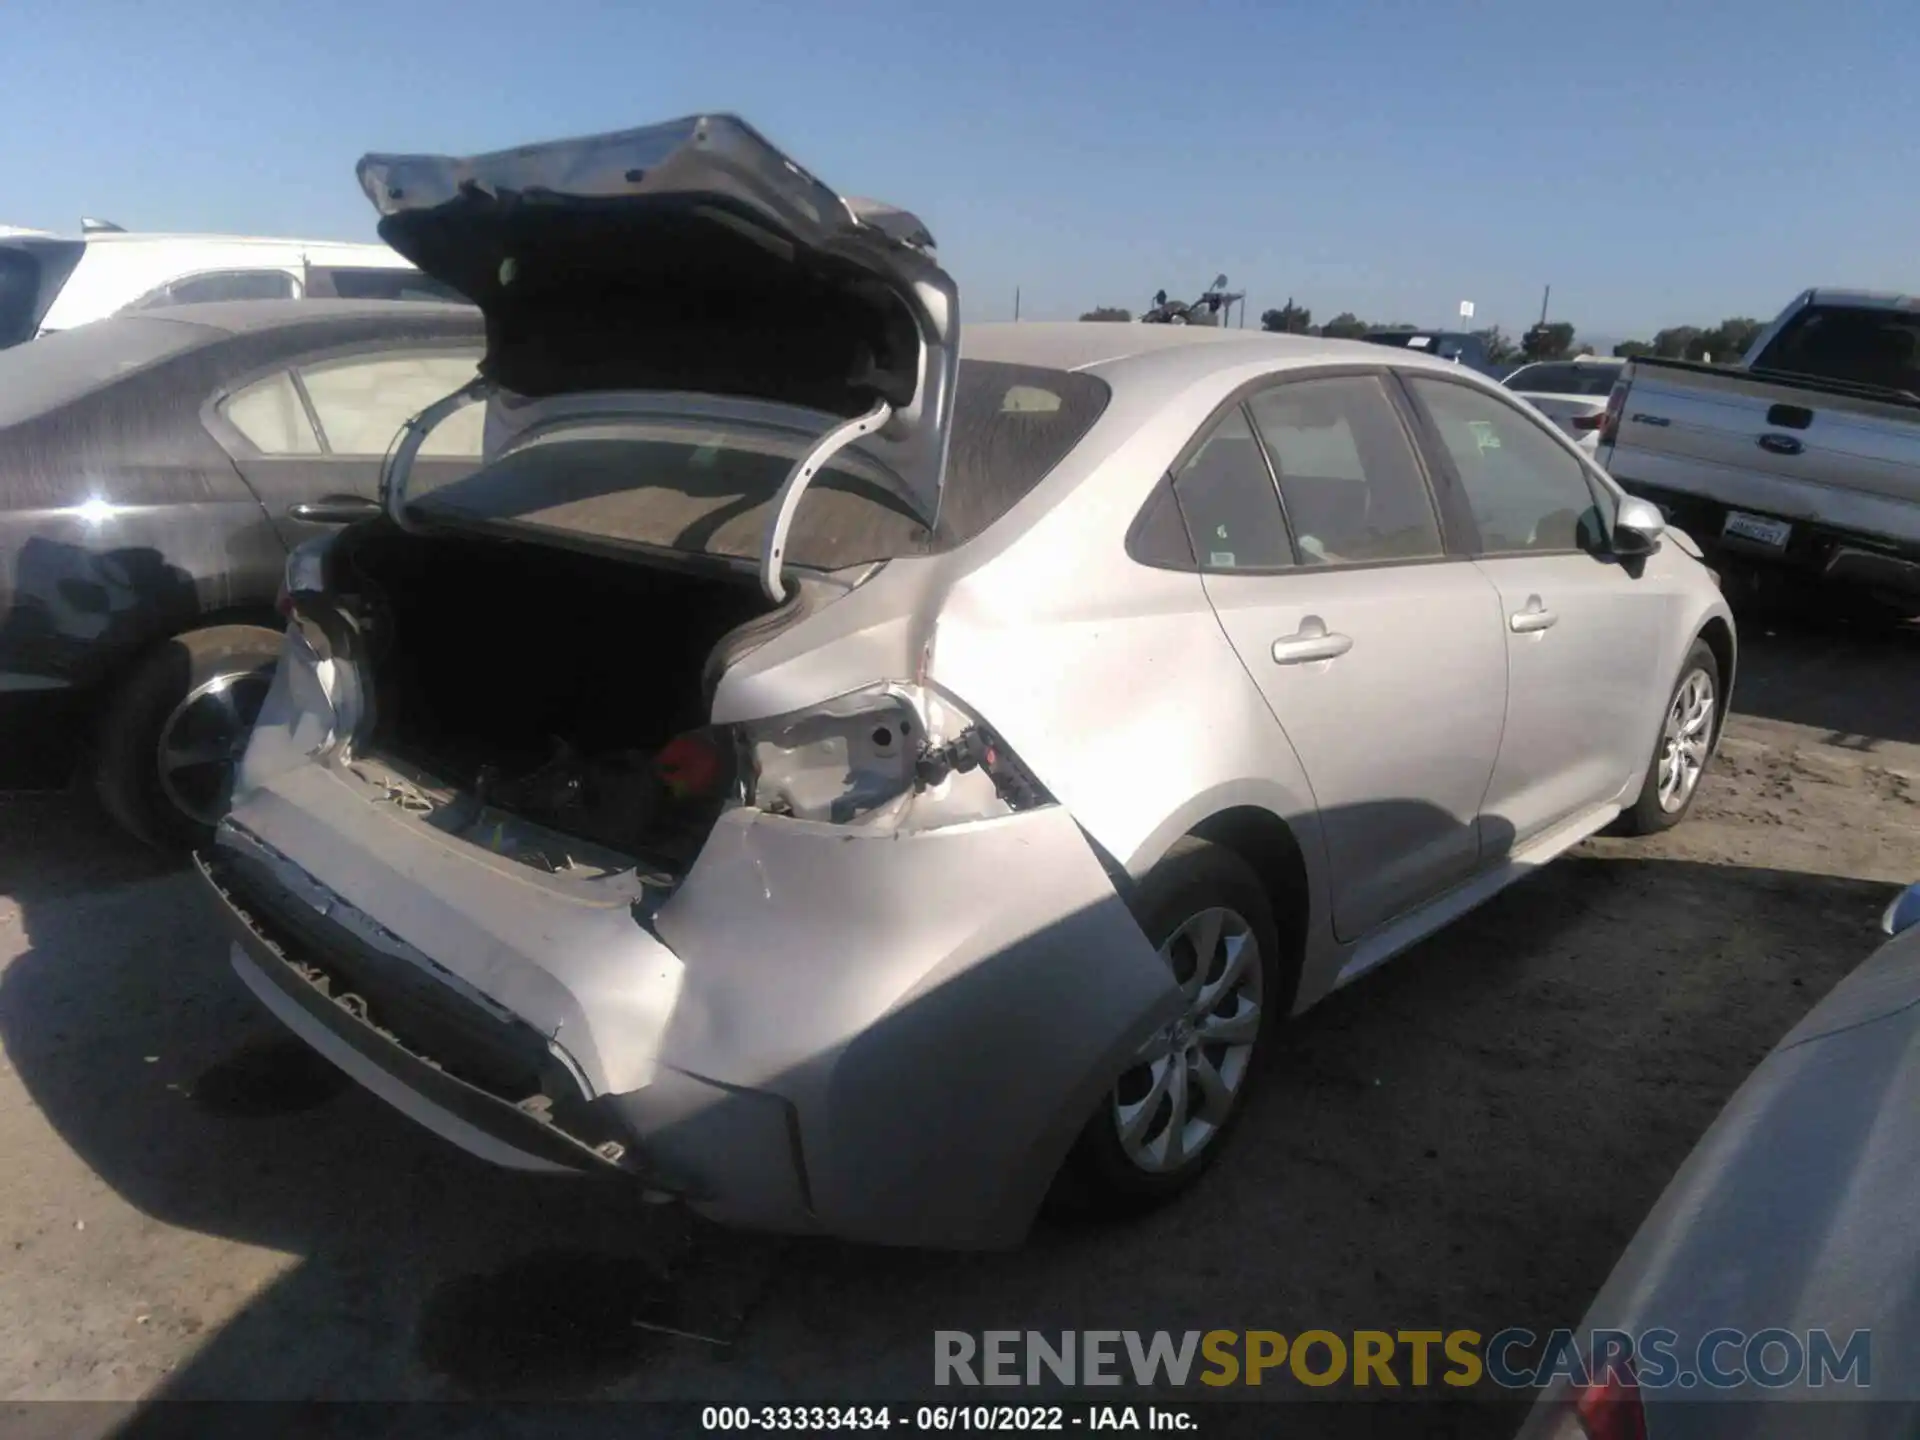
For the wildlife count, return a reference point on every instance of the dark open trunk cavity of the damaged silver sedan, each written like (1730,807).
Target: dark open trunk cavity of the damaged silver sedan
(565,688)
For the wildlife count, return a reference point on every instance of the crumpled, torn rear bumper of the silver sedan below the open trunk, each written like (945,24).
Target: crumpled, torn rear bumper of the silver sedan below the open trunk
(884,1038)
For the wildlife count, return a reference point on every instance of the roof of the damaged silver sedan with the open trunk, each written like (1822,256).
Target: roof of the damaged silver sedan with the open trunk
(1166,350)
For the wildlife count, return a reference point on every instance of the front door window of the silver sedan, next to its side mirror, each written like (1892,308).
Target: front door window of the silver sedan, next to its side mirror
(1525,491)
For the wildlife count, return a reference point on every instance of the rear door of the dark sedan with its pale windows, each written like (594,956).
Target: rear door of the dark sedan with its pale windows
(322,429)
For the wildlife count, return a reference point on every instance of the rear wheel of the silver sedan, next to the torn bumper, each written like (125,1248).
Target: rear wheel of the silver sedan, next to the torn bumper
(1107,1172)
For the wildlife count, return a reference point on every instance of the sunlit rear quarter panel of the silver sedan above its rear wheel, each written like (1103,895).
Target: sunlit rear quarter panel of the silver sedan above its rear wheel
(1113,681)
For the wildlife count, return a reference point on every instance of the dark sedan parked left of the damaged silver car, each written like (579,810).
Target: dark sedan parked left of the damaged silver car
(151,477)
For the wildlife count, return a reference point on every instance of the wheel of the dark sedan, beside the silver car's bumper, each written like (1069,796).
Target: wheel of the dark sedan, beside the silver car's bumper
(197,698)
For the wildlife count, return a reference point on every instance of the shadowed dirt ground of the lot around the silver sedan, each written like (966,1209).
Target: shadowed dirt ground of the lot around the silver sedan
(189,1207)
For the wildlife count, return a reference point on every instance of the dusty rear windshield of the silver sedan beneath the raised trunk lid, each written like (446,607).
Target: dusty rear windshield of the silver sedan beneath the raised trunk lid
(709,491)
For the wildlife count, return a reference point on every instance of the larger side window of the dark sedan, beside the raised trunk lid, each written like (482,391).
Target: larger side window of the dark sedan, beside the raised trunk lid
(364,402)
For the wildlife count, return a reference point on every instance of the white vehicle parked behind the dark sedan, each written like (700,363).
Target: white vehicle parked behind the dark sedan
(53,283)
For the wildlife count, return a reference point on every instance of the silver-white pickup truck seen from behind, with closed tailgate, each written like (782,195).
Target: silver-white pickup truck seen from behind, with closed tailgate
(1802,460)
